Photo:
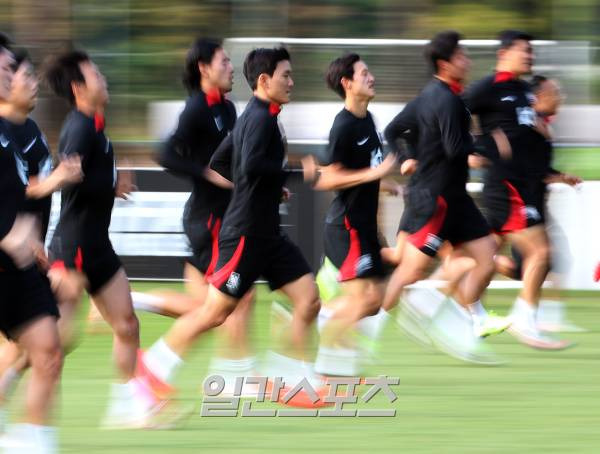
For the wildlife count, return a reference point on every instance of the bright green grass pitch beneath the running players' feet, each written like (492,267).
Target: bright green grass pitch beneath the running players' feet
(546,402)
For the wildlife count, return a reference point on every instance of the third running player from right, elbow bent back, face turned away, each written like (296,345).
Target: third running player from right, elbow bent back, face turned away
(437,206)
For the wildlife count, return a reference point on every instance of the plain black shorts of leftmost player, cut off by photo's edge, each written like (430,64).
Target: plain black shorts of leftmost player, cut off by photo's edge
(25,295)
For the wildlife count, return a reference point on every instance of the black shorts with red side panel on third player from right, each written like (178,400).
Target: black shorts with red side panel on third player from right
(430,221)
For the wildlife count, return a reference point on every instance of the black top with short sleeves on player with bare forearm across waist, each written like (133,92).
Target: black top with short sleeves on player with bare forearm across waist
(354,143)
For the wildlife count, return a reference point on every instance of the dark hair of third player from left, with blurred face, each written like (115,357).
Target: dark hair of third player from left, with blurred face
(62,70)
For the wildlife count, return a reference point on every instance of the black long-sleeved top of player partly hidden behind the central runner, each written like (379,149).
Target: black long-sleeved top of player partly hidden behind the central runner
(203,124)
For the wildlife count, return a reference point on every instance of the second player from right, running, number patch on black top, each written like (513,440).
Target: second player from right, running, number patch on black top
(503,102)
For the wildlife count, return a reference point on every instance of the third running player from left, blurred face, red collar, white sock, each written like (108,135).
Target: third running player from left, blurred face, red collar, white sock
(81,252)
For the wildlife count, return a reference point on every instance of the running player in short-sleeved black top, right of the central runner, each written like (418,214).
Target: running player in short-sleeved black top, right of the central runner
(354,166)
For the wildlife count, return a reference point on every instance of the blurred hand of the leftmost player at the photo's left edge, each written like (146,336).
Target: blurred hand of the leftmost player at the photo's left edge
(20,243)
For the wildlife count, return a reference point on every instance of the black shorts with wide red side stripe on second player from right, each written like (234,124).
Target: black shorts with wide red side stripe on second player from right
(510,207)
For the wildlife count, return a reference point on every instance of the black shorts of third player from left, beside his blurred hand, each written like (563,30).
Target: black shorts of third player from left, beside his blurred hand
(99,263)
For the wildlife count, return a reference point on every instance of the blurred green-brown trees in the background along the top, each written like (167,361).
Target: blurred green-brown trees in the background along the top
(140,44)
